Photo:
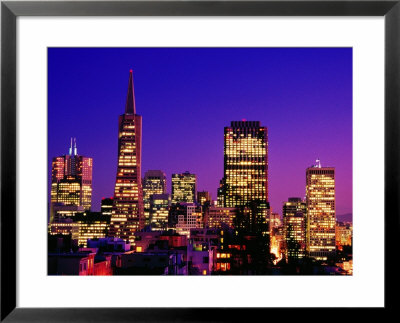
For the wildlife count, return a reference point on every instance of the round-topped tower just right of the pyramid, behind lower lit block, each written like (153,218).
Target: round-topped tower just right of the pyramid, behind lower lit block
(154,182)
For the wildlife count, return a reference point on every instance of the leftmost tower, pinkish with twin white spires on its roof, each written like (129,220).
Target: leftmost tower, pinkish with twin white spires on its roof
(71,179)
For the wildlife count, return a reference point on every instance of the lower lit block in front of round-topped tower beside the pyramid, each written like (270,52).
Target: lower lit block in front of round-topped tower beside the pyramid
(159,210)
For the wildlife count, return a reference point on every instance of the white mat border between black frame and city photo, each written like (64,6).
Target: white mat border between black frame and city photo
(364,288)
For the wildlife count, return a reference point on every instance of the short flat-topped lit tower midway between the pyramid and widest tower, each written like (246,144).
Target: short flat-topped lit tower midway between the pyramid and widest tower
(184,188)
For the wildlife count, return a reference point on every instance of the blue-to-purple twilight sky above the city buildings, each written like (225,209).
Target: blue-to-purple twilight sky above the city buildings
(188,95)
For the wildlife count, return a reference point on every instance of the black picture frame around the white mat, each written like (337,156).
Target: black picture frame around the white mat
(10,10)
